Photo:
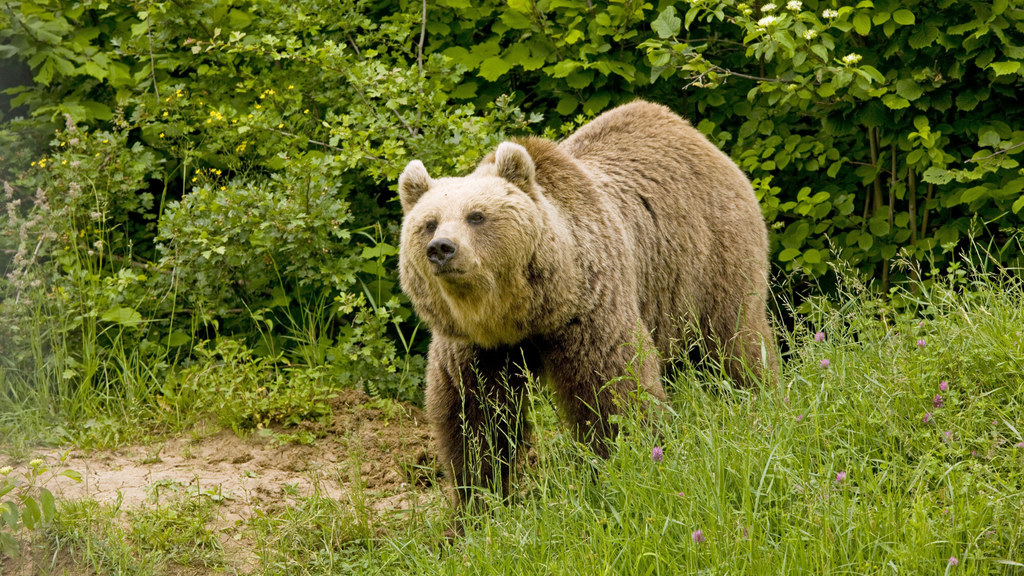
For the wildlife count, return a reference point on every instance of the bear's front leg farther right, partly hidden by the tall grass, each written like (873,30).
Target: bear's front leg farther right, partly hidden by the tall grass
(600,368)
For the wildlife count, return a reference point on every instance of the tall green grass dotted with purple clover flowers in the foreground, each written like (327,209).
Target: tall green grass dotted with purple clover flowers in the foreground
(834,471)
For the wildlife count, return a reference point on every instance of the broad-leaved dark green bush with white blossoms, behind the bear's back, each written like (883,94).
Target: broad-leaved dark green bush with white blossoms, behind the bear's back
(868,130)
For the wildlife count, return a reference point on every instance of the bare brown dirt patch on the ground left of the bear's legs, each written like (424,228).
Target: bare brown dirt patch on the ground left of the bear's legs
(377,450)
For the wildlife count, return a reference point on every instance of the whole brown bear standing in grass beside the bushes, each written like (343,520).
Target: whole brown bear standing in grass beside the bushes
(576,261)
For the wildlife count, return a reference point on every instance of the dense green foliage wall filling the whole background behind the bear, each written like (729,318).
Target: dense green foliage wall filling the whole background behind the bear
(203,191)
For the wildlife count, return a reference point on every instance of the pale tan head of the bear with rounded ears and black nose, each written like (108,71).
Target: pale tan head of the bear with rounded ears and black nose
(468,244)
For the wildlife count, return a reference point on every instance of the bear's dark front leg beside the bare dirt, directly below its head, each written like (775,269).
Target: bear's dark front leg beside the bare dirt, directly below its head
(477,402)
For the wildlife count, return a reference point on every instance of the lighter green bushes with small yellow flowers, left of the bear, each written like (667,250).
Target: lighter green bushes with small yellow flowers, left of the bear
(219,171)
